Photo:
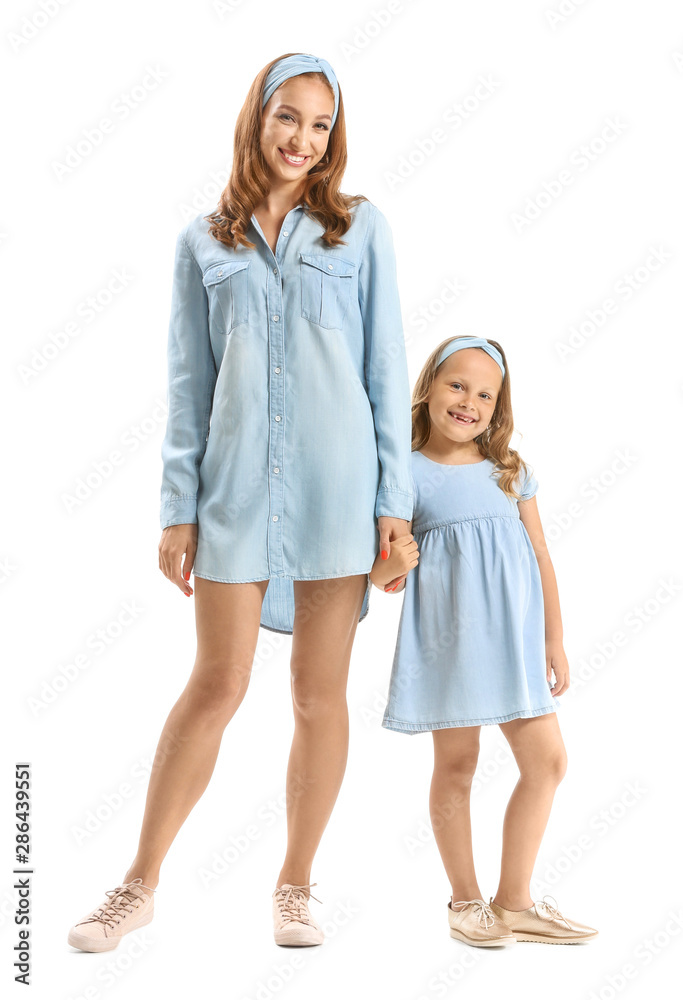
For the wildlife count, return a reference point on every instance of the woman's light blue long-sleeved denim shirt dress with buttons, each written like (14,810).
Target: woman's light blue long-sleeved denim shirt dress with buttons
(289,427)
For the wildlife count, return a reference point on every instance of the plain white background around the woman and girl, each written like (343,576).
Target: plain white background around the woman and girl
(609,856)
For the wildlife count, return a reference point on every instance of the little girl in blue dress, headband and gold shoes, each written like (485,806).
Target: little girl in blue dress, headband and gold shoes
(479,632)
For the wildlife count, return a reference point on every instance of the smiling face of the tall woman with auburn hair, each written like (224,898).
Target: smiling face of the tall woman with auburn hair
(296,127)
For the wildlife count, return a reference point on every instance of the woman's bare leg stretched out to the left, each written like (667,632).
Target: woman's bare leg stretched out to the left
(227,620)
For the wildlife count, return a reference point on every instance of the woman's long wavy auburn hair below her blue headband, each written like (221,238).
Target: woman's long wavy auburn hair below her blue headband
(249,180)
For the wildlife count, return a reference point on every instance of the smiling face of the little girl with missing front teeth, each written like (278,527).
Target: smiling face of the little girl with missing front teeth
(463,397)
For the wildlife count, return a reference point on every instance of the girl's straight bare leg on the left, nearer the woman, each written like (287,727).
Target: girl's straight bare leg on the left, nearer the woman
(456,752)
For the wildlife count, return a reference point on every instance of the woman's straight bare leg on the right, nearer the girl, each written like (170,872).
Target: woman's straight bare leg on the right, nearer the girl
(327,613)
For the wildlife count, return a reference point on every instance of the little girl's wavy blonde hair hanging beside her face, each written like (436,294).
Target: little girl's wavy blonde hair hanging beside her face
(494,442)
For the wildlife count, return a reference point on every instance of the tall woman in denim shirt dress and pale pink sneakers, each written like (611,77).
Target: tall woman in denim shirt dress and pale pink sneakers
(288,434)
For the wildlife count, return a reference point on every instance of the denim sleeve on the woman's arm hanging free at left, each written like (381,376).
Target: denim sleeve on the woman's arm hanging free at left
(191,381)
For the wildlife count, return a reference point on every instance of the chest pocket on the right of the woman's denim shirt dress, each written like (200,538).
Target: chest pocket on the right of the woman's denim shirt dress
(326,283)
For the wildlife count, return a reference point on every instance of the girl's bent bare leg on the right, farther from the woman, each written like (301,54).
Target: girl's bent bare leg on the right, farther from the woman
(540,754)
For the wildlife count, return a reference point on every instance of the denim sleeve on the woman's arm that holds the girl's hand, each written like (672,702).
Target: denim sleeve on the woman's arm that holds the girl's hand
(386,368)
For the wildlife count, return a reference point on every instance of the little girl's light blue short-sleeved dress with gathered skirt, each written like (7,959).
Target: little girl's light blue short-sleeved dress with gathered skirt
(471,640)
